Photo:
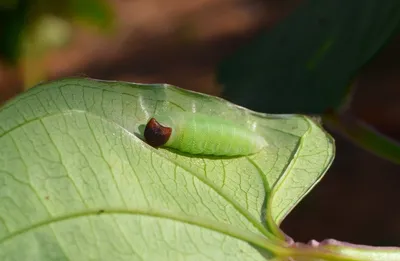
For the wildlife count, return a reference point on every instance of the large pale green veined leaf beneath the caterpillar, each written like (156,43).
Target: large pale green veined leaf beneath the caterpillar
(78,183)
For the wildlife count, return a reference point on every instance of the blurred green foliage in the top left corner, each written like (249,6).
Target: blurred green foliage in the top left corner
(19,20)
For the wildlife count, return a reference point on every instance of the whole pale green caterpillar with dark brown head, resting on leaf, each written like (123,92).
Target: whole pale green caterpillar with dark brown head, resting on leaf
(197,133)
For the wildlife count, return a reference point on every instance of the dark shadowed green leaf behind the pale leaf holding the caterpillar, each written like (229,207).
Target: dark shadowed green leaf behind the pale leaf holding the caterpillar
(306,63)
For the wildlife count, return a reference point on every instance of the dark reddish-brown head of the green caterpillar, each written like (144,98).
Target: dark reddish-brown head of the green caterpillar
(155,134)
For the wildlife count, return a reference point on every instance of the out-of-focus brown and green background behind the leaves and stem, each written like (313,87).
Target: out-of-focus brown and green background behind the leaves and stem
(181,42)
